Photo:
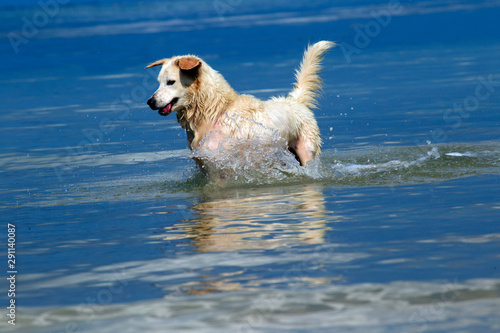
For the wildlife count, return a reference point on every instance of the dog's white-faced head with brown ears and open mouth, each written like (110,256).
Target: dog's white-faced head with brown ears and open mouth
(176,76)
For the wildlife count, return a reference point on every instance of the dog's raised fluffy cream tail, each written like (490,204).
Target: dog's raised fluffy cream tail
(307,76)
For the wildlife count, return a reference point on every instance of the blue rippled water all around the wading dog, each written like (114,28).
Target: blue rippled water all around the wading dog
(396,230)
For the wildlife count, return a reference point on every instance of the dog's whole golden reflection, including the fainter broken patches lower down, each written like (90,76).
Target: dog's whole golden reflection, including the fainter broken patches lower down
(256,219)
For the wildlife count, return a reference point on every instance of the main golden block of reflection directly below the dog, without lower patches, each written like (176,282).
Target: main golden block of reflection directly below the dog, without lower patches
(259,219)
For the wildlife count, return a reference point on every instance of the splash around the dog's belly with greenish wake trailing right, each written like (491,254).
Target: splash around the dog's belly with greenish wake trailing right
(258,162)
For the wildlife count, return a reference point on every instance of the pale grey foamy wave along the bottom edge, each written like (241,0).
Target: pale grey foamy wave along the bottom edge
(401,306)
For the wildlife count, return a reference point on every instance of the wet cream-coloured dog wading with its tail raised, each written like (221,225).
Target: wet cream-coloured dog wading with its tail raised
(211,111)
